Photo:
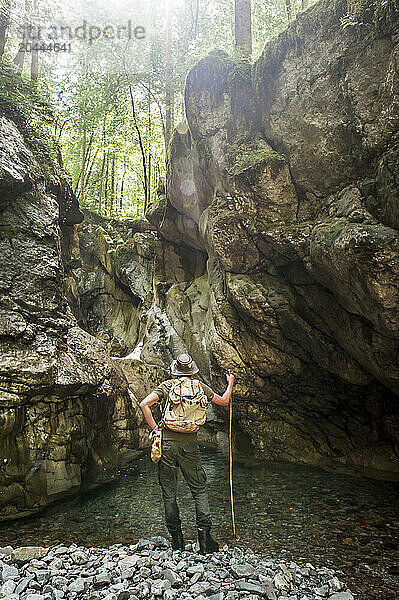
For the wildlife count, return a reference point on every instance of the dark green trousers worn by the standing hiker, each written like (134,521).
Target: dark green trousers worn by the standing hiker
(187,457)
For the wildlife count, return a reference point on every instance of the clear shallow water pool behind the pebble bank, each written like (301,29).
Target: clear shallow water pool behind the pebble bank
(288,511)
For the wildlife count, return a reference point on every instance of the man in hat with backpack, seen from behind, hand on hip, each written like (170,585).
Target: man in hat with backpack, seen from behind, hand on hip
(184,401)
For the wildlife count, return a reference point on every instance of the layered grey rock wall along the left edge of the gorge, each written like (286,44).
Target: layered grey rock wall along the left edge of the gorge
(65,412)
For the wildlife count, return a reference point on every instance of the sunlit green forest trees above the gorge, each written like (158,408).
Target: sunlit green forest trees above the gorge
(90,87)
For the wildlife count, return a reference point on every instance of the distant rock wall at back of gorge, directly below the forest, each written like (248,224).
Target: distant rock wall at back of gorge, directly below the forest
(109,281)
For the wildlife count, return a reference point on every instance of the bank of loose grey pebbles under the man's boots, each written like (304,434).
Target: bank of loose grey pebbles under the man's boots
(150,569)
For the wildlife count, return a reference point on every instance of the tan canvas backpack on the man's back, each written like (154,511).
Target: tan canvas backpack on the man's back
(185,409)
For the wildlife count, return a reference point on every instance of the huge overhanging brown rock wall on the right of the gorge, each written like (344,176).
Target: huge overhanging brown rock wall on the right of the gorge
(283,207)
